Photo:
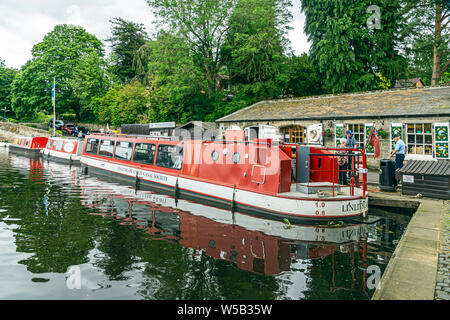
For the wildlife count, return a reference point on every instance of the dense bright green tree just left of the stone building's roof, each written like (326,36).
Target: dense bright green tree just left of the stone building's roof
(179,86)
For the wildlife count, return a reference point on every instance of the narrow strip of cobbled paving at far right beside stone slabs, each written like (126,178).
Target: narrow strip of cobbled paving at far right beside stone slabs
(443,276)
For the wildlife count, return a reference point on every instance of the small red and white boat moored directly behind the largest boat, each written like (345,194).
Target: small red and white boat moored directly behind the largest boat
(64,149)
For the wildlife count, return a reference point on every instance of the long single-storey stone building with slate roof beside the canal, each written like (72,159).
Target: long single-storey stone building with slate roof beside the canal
(421,116)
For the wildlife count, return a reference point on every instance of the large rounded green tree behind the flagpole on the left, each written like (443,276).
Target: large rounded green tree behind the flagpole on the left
(59,56)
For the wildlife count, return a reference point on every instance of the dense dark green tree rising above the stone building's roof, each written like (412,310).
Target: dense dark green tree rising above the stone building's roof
(348,51)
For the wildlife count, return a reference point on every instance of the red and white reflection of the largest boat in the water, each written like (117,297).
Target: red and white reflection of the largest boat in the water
(253,244)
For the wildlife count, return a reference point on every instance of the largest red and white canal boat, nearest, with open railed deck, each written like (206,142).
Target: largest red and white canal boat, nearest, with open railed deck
(256,177)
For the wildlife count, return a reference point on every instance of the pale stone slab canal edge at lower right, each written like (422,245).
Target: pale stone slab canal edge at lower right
(411,273)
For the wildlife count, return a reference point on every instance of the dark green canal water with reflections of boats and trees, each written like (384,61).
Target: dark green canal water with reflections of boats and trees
(67,235)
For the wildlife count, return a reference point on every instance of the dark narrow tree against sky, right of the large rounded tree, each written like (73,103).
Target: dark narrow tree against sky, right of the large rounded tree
(127,37)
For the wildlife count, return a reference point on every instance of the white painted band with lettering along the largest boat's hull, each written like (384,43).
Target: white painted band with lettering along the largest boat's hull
(308,208)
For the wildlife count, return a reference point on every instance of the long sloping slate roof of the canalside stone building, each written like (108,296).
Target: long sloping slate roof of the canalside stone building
(419,102)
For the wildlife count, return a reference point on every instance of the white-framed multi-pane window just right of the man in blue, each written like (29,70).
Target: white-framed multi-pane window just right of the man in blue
(419,138)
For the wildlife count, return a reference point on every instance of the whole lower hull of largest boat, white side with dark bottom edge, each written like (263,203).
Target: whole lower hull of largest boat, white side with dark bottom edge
(308,209)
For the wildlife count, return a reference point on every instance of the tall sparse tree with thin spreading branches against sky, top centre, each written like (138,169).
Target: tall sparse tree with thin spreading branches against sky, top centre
(203,25)
